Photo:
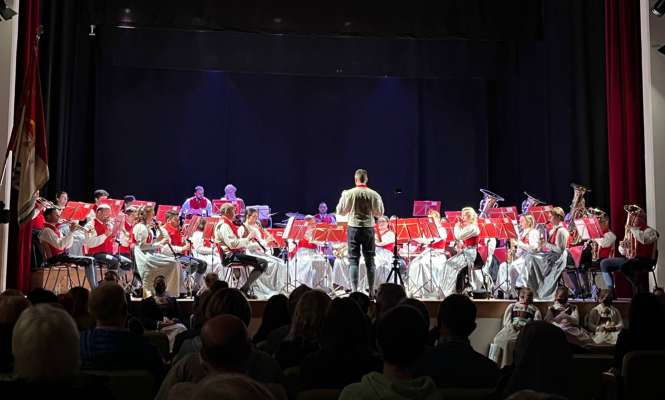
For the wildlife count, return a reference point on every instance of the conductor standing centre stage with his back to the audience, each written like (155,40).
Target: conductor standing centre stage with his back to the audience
(362,205)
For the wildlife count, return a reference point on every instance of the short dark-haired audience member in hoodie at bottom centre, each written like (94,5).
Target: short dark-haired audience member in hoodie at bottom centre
(401,348)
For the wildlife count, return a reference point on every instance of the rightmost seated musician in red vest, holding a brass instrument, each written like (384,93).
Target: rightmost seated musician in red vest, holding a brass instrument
(638,251)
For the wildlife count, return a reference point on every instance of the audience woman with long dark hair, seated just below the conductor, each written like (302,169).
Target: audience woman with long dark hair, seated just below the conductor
(344,356)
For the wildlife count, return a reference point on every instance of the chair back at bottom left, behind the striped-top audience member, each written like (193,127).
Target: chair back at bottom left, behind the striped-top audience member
(128,384)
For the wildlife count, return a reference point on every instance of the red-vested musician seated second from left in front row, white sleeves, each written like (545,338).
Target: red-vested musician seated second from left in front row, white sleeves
(100,240)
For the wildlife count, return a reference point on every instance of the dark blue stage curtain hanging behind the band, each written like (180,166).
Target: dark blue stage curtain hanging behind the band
(288,118)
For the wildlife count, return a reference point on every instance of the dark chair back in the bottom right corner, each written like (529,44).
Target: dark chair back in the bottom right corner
(642,374)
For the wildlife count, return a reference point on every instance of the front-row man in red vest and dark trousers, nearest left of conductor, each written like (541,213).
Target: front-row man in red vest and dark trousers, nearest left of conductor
(233,247)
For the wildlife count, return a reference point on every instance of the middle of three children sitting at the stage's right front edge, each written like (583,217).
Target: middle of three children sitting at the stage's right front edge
(564,315)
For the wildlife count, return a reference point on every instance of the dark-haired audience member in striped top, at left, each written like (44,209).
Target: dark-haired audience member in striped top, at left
(111,346)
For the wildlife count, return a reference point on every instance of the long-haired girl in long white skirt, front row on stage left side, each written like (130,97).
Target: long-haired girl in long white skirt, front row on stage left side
(150,263)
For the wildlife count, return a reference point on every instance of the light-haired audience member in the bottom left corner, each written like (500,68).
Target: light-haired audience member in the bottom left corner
(45,345)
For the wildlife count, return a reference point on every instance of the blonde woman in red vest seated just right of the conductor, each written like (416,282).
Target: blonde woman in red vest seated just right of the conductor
(466,234)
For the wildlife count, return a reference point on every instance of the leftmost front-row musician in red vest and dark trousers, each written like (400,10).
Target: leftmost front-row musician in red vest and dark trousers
(56,245)
